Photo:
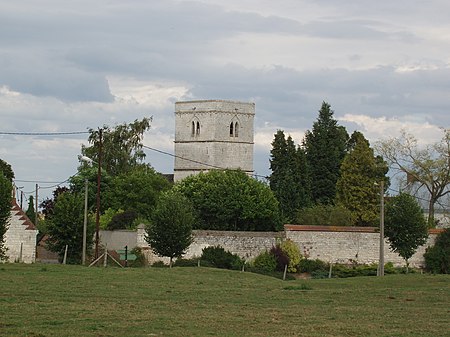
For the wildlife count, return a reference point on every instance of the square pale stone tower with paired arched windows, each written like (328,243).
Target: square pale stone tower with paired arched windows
(213,134)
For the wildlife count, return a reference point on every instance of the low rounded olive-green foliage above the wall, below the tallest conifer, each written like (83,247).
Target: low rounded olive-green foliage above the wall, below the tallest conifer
(325,215)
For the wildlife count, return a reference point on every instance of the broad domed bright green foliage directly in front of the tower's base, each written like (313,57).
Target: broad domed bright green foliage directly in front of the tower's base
(231,200)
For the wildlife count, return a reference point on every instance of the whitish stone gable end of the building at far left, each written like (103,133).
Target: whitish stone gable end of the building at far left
(20,238)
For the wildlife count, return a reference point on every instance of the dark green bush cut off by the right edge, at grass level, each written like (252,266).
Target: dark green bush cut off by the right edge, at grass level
(437,257)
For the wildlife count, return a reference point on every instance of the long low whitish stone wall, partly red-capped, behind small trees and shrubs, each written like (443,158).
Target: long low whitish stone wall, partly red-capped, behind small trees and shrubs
(327,243)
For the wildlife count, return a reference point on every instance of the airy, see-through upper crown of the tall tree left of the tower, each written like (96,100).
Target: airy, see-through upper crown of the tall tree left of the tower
(121,146)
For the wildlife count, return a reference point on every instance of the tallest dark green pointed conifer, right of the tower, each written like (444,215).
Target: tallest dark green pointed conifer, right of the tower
(325,148)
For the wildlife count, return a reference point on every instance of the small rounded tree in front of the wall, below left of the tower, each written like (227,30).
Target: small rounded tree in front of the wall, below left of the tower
(170,231)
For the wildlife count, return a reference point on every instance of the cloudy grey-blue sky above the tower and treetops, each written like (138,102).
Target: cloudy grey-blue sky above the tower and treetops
(68,66)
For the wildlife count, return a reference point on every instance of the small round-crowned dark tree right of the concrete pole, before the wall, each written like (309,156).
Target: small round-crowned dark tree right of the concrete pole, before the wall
(405,226)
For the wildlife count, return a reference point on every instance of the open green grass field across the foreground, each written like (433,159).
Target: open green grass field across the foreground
(56,300)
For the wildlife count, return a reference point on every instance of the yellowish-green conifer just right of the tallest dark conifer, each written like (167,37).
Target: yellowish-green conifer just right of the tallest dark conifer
(360,172)
